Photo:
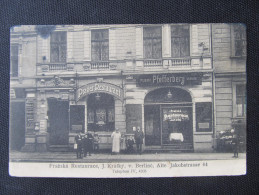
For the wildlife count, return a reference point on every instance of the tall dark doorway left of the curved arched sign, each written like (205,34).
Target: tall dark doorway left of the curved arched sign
(58,121)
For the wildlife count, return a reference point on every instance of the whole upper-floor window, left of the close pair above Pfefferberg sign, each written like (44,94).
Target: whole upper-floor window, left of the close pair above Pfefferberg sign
(152,37)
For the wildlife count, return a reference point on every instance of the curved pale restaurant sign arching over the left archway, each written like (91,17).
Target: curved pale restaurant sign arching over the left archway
(99,88)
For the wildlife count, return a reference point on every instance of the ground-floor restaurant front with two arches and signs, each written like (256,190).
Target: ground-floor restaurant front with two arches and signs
(174,114)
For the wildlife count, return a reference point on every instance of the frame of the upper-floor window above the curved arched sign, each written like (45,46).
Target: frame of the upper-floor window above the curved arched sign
(102,43)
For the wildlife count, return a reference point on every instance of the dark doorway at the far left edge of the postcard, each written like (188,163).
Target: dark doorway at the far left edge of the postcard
(17,125)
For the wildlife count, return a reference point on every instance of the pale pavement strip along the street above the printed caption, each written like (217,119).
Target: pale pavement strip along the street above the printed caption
(70,157)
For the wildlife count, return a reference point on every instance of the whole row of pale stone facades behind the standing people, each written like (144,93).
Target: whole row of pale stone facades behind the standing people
(175,81)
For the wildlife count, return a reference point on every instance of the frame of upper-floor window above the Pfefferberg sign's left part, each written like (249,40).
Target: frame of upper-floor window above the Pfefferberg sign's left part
(152,41)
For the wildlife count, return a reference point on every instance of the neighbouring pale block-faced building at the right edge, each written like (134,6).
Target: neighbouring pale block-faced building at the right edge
(229,59)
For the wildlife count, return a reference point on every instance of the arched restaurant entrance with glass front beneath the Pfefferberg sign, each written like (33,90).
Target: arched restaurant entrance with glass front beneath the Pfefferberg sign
(168,118)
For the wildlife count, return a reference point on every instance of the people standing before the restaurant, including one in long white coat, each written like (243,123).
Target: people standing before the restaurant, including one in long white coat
(87,144)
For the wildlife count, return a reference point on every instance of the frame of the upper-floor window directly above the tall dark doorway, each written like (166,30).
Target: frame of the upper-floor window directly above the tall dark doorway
(59,44)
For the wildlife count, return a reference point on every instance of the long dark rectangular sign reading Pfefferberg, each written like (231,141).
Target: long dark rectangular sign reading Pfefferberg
(171,79)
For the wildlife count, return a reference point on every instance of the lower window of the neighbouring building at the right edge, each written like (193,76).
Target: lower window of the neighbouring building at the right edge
(240,100)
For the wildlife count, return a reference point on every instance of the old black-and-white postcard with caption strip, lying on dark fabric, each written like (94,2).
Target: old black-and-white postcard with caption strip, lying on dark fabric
(128,100)
